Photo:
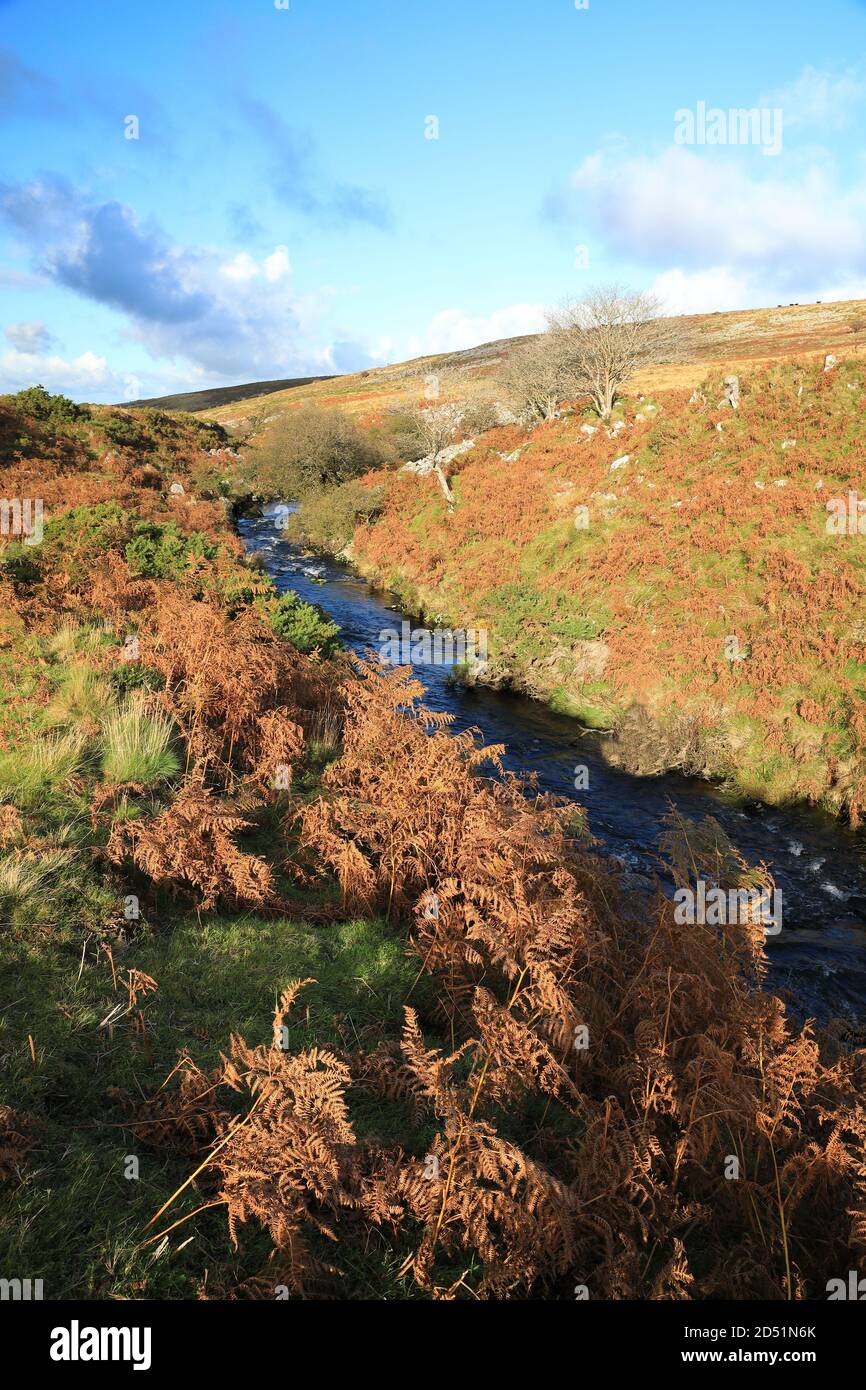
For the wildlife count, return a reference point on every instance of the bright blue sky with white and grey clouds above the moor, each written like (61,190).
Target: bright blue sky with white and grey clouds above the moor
(206,193)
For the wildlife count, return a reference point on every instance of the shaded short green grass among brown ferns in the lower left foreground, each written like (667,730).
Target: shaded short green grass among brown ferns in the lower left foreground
(74,1220)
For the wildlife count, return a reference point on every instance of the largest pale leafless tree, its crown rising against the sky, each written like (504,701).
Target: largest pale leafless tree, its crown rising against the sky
(605,337)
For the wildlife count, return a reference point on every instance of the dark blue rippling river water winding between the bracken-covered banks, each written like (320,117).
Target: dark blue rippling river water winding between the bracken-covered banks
(818,960)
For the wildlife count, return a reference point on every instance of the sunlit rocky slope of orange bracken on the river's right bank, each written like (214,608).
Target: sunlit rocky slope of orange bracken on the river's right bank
(686,578)
